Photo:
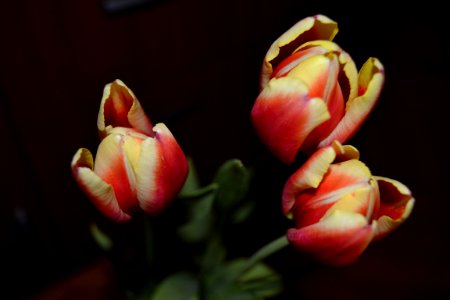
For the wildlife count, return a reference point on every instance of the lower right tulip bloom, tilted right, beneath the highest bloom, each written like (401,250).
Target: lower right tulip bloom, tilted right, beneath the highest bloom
(339,207)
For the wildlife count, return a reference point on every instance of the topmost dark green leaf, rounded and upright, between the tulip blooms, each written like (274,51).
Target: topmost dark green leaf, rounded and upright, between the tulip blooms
(233,180)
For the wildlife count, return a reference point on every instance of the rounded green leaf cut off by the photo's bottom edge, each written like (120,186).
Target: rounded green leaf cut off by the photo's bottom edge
(179,286)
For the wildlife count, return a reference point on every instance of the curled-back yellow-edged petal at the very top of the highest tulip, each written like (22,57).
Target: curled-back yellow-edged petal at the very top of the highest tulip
(317,27)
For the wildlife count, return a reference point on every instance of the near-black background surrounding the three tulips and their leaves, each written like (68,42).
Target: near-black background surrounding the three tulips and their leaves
(194,65)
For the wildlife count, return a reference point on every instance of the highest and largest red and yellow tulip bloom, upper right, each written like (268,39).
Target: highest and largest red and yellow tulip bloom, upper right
(311,92)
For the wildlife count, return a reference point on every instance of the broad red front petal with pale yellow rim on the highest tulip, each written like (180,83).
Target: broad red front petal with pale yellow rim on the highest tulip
(284,114)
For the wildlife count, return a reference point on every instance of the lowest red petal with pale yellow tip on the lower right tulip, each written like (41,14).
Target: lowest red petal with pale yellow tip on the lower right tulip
(339,239)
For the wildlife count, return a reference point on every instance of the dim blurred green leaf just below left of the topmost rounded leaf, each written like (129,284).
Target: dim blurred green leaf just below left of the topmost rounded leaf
(200,219)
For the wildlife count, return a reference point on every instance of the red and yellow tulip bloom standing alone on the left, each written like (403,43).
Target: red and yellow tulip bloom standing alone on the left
(138,166)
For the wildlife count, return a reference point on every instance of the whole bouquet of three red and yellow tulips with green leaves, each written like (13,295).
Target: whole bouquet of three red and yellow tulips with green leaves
(312,100)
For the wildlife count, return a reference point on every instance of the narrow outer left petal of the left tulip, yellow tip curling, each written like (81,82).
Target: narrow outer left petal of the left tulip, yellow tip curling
(99,192)
